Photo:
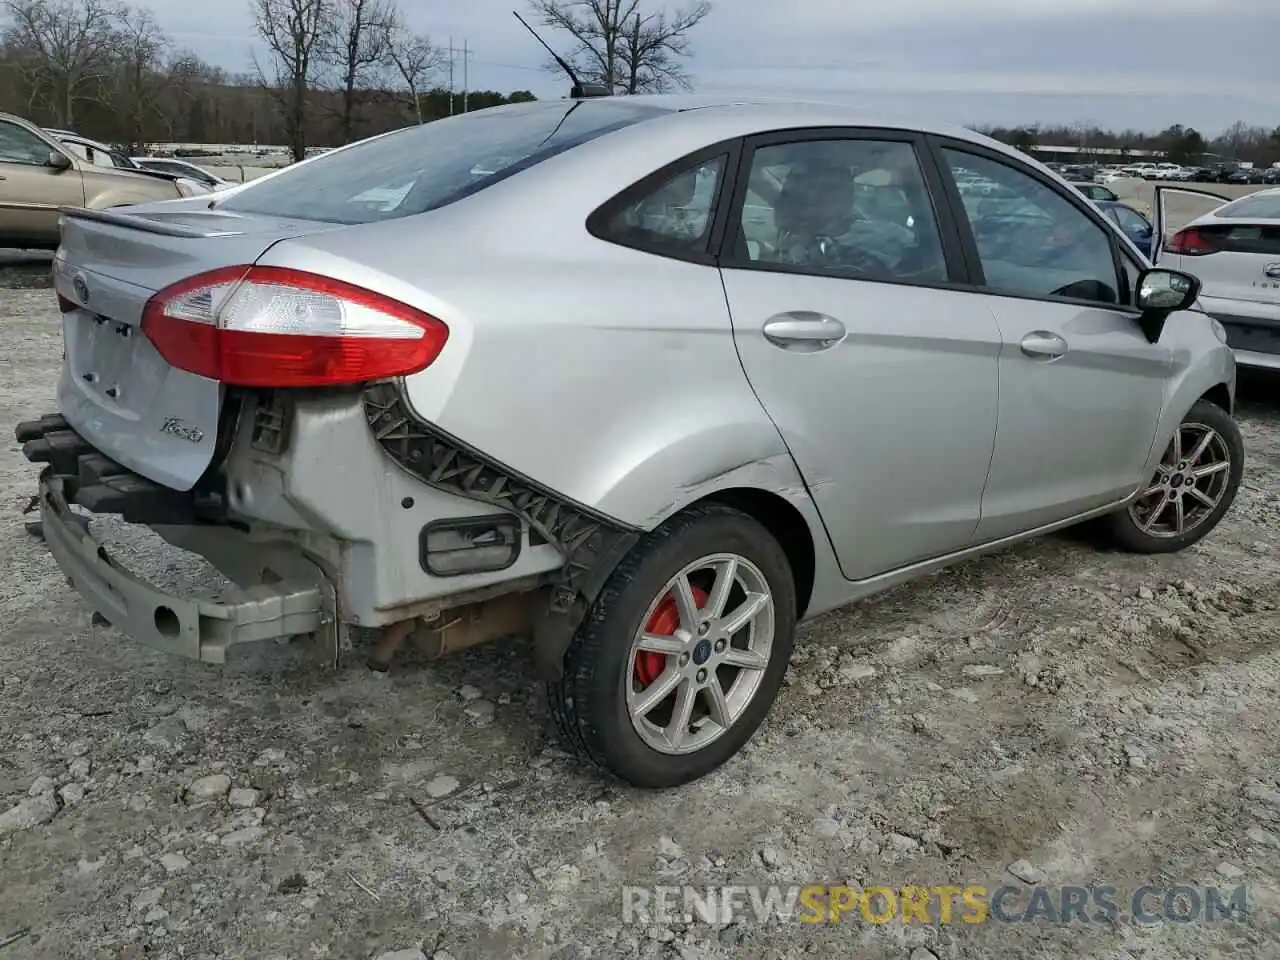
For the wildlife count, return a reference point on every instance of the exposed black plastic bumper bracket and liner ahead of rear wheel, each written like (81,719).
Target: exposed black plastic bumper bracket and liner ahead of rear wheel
(592,543)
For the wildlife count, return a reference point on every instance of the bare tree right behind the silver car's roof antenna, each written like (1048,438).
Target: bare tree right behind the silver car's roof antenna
(624,47)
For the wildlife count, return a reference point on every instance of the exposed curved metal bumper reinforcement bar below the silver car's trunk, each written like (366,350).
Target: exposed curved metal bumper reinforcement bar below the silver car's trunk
(199,629)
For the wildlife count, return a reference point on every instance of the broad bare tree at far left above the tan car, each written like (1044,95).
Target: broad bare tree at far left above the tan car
(68,48)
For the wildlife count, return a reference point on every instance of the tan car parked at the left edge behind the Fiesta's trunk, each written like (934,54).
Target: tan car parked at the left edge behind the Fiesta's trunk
(39,176)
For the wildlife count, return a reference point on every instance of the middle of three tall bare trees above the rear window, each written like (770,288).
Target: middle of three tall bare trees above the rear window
(356,45)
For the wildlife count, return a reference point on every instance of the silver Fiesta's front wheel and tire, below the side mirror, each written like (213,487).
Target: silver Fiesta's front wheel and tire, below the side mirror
(1173,497)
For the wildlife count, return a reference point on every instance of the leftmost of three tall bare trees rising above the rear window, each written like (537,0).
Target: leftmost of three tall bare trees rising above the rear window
(294,33)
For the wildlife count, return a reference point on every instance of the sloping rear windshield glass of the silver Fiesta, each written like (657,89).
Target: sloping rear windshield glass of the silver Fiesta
(424,168)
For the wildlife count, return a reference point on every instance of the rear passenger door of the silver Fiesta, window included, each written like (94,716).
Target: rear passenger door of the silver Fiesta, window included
(880,377)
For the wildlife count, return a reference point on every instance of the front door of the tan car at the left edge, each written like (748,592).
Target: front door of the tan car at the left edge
(31,189)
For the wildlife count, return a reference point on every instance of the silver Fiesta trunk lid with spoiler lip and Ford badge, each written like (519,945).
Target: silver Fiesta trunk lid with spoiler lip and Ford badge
(116,390)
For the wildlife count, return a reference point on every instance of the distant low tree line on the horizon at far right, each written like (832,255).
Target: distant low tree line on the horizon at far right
(1183,145)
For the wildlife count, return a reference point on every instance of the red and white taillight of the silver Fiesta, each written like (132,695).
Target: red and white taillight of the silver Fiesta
(276,327)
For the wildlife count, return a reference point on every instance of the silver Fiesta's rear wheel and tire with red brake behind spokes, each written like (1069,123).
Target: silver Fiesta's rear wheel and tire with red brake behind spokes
(604,678)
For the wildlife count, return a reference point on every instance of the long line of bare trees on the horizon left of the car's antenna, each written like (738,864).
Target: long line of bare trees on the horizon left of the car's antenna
(332,71)
